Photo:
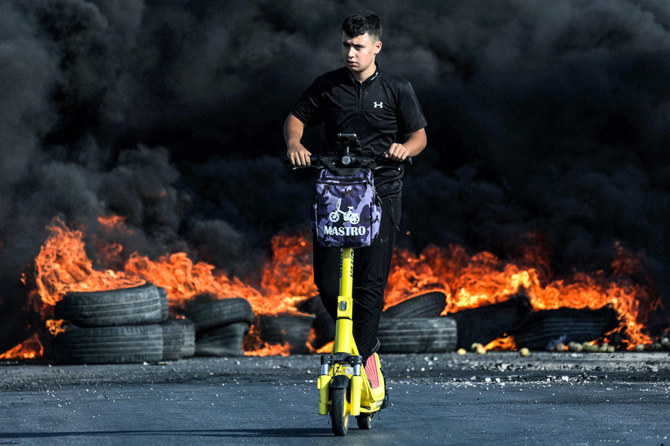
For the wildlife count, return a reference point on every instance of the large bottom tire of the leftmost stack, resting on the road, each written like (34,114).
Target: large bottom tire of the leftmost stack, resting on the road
(109,345)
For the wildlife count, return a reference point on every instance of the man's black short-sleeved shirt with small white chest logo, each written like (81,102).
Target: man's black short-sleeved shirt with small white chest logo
(380,110)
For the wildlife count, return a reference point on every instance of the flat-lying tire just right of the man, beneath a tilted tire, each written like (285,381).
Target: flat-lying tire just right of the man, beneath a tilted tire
(417,335)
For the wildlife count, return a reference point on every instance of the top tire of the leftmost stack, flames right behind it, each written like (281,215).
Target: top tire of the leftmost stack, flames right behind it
(123,306)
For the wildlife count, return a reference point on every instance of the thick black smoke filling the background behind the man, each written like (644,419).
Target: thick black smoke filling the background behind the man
(547,118)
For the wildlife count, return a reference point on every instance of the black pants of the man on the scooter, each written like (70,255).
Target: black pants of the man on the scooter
(371,270)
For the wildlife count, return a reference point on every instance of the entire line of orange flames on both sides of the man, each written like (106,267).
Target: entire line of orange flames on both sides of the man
(469,281)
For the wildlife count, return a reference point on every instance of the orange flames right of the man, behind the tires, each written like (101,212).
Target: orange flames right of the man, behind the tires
(481,279)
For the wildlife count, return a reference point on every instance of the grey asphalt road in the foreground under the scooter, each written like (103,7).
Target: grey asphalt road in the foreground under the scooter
(444,399)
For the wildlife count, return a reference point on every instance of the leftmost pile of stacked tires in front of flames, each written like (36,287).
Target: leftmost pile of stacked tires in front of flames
(125,325)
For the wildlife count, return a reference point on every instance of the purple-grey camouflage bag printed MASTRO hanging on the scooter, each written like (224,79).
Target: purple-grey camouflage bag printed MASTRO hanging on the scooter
(347,210)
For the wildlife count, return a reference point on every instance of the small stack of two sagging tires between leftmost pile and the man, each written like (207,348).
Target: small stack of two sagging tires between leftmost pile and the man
(220,324)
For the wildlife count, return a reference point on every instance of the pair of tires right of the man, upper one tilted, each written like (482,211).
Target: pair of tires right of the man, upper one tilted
(415,326)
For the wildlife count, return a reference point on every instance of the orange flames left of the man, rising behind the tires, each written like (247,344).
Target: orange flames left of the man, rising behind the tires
(63,265)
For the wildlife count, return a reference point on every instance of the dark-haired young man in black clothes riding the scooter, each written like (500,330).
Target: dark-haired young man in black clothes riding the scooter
(382,109)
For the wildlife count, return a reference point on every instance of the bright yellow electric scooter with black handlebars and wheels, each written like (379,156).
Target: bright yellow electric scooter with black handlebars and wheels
(344,389)
